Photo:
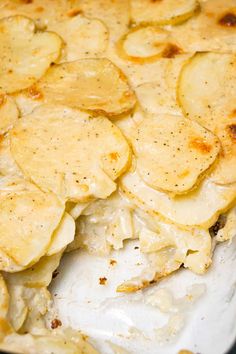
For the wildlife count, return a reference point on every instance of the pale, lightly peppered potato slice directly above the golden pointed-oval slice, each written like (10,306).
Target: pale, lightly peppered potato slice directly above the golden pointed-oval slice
(84,38)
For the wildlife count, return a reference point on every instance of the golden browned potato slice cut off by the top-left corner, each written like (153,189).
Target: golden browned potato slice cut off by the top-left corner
(43,12)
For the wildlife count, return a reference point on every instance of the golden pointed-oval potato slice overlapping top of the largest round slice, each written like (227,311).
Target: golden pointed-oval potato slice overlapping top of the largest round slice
(93,84)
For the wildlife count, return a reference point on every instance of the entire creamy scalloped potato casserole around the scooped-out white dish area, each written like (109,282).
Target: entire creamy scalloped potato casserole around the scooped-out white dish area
(117,123)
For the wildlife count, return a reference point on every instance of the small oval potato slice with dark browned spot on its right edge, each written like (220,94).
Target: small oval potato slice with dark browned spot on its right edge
(146,44)
